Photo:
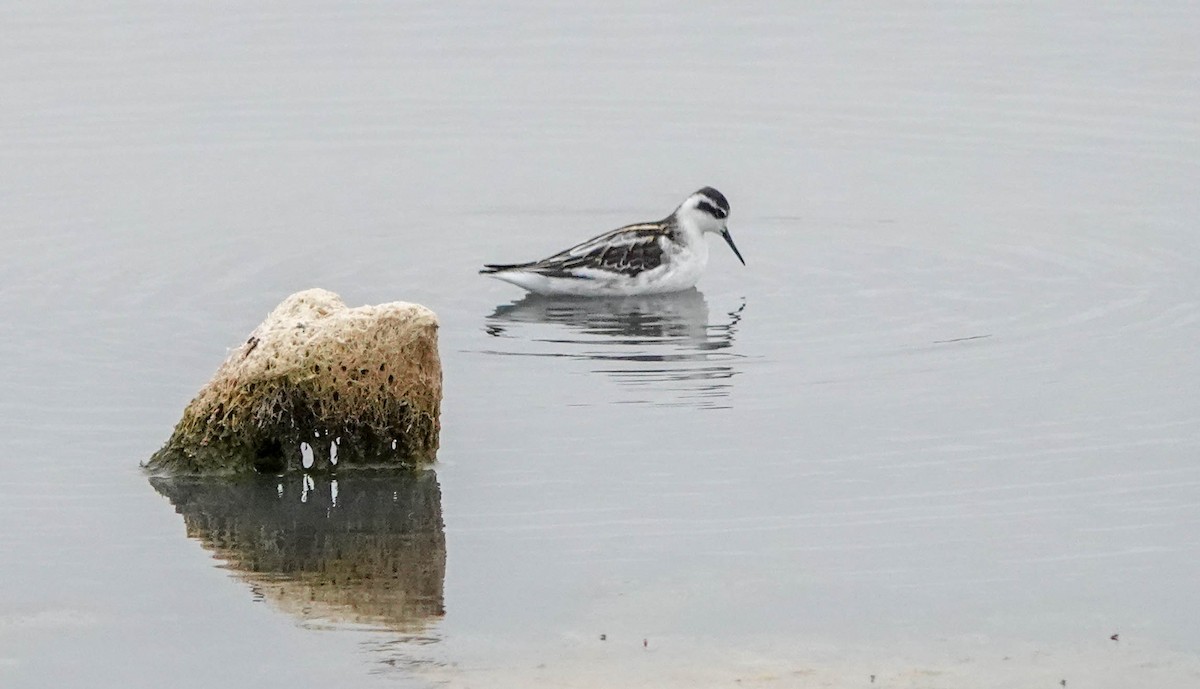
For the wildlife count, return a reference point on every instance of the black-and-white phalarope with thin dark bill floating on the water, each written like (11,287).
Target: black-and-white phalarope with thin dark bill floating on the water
(645,259)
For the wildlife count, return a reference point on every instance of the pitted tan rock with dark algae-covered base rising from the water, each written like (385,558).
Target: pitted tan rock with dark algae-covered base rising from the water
(358,386)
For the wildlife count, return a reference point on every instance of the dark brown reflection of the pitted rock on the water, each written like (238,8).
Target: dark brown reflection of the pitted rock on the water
(364,548)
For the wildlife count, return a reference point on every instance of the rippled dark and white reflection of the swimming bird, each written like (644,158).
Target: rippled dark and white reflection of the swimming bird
(665,345)
